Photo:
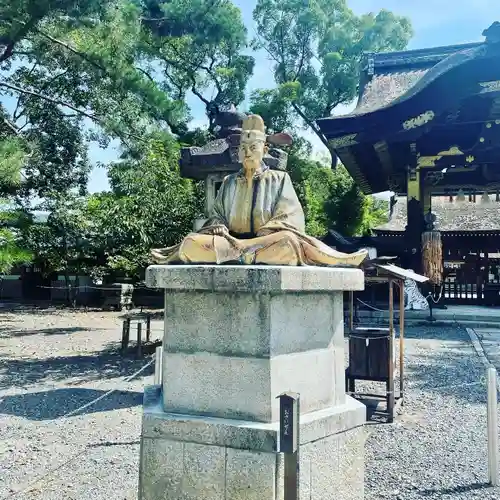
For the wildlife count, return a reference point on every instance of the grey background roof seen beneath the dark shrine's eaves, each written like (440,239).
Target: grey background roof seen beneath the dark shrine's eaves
(452,216)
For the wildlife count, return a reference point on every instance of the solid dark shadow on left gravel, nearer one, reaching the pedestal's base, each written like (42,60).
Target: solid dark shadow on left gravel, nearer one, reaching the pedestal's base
(49,405)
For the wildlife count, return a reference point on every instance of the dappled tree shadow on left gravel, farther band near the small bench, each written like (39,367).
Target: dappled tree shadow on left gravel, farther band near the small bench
(107,364)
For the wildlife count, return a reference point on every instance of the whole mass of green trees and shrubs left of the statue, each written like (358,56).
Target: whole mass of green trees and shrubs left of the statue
(73,71)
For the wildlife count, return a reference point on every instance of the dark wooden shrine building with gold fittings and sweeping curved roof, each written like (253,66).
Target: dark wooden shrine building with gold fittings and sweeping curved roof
(427,128)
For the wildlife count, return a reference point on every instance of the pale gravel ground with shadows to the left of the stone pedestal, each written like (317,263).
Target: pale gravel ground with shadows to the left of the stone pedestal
(52,362)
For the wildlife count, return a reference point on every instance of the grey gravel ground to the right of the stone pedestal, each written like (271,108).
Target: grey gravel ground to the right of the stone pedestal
(437,449)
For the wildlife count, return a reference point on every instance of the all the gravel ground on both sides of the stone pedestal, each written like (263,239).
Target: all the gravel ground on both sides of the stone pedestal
(52,362)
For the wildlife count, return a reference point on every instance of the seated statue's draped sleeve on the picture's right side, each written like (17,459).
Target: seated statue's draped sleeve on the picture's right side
(287,213)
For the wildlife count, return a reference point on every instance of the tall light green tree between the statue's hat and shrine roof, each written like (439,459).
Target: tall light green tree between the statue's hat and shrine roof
(317,49)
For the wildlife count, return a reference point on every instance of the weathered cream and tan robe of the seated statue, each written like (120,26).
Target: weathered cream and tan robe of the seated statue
(265,224)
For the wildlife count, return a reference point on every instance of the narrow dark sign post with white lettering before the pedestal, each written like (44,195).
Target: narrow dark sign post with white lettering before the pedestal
(290,442)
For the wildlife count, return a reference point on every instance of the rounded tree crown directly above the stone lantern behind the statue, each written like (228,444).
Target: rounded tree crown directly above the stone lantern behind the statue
(198,45)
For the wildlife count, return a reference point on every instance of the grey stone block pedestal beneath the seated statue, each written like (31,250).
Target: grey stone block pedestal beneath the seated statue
(235,338)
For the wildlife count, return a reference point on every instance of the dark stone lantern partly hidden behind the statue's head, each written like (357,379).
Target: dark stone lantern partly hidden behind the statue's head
(218,158)
